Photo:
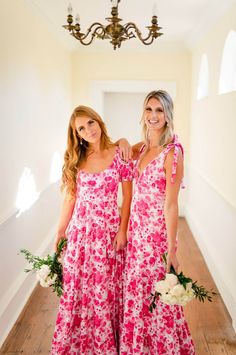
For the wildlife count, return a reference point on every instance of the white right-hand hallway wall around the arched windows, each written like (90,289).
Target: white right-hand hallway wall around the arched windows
(211,207)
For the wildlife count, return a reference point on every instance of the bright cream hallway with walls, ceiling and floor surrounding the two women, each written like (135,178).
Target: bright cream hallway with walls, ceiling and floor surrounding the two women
(43,77)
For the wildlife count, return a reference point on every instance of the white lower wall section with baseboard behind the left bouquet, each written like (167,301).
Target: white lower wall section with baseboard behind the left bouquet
(33,230)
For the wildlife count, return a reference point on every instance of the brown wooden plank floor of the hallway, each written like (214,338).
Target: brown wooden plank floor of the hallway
(209,323)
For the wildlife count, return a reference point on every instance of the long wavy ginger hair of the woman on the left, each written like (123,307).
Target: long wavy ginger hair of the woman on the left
(77,148)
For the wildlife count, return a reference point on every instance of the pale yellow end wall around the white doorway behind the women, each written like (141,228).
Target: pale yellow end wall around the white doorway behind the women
(125,69)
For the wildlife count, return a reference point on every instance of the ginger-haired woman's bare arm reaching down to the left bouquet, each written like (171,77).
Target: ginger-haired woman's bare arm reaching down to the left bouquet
(66,214)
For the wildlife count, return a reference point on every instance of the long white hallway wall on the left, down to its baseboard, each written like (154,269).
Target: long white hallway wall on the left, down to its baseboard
(35,103)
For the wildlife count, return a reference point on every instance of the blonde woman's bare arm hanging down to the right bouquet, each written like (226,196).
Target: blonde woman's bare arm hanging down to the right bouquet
(171,206)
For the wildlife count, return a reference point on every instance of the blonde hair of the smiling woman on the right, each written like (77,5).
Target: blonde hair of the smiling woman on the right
(166,101)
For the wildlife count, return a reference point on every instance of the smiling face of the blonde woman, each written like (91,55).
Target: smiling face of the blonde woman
(154,115)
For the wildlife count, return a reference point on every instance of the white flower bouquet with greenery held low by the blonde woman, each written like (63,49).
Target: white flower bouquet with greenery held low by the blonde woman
(177,289)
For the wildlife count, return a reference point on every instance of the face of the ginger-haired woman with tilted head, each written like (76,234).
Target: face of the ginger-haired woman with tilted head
(88,129)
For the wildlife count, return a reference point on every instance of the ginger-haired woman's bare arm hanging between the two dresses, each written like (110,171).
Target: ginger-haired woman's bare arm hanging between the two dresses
(121,237)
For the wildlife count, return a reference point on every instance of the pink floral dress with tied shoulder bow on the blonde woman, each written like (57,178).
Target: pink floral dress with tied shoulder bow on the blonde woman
(164,331)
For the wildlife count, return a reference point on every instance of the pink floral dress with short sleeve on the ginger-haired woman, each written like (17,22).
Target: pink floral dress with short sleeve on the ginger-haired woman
(90,310)
